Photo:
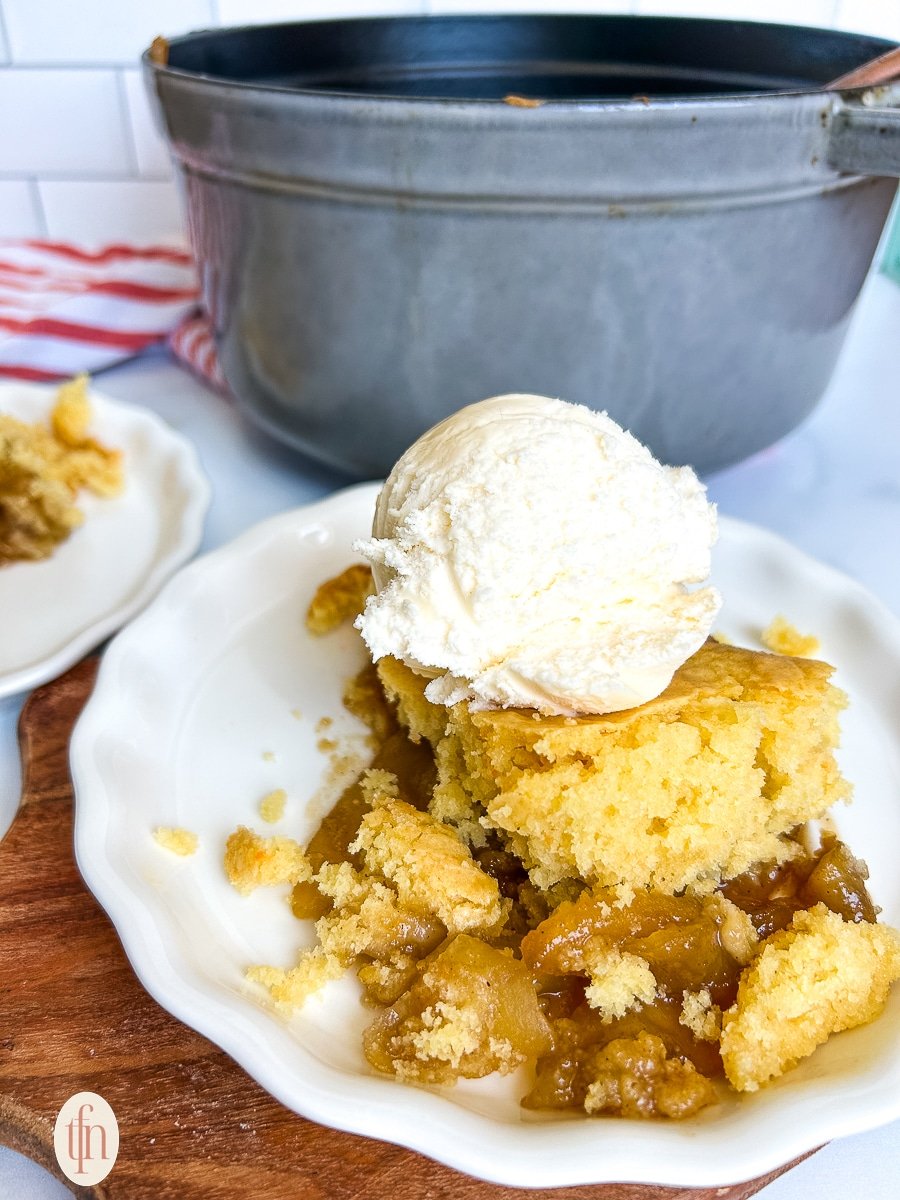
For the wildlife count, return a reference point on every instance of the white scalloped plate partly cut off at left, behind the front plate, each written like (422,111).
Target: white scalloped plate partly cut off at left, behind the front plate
(55,611)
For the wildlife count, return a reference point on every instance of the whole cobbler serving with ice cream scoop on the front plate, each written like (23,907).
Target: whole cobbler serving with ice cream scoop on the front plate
(586,844)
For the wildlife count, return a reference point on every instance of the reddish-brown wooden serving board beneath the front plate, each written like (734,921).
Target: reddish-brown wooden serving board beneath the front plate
(193,1125)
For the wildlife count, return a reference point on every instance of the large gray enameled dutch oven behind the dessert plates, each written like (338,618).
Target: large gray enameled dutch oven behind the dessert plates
(667,219)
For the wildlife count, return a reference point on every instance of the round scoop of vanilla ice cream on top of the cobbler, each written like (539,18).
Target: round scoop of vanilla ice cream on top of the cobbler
(529,553)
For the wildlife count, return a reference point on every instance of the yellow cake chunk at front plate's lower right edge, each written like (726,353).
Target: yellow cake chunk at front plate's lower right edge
(815,979)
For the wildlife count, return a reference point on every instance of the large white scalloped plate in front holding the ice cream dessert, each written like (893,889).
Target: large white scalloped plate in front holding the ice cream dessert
(194,719)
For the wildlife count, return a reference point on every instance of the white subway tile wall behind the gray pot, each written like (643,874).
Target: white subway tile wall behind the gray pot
(81,157)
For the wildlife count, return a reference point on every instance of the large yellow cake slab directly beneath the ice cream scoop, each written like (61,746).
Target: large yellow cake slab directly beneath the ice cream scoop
(689,789)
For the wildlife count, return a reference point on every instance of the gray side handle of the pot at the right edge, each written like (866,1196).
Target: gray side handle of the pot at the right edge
(865,134)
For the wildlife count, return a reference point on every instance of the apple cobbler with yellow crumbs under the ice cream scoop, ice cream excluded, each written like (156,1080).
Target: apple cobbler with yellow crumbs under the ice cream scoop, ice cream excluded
(628,903)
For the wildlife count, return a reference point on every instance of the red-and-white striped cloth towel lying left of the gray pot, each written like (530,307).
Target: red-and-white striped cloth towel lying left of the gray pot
(65,310)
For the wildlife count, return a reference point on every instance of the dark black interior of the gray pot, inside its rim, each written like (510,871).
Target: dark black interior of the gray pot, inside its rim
(556,58)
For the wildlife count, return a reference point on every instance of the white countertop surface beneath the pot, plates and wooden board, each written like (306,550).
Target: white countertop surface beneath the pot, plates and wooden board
(832,488)
